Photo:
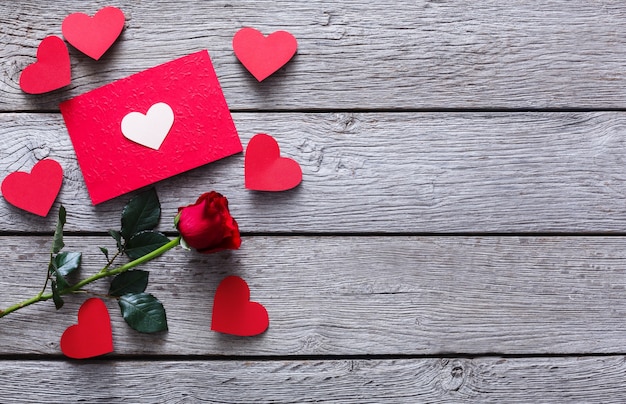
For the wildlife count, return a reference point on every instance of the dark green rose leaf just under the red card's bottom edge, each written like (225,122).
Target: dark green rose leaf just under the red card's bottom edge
(142,213)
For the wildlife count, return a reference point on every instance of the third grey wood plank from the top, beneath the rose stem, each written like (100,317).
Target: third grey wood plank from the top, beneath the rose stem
(356,295)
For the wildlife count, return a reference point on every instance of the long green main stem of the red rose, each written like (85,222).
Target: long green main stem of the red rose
(101,274)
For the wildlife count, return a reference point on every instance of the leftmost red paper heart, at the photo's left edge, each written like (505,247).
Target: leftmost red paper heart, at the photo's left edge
(36,191)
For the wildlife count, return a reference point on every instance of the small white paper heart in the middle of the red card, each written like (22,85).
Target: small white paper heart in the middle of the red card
(151,129)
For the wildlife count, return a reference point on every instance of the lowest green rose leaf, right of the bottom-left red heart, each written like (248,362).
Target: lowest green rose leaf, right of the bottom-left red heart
(143,312)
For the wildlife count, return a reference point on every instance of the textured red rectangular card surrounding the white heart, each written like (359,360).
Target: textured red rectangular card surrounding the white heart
(203,129)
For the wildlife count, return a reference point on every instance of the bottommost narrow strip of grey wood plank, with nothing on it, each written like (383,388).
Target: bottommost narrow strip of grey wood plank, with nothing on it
(485,380)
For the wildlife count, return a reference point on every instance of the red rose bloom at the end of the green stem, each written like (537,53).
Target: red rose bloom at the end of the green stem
(207,225)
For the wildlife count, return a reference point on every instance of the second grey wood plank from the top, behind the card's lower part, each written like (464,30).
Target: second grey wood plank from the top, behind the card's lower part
(378,172)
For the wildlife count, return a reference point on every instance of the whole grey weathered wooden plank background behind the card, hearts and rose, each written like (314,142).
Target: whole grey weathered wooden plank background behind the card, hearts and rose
(458,235)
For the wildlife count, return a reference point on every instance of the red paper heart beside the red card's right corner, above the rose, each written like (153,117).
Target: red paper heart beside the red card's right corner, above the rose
(265,170)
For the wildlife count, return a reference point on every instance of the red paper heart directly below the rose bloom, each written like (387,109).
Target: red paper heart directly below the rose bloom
(234,313)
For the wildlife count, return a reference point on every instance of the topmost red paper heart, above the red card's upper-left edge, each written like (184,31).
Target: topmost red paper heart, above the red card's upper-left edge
(93,35)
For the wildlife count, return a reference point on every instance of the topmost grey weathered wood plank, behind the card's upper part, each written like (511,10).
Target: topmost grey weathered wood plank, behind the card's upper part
(354,54)
